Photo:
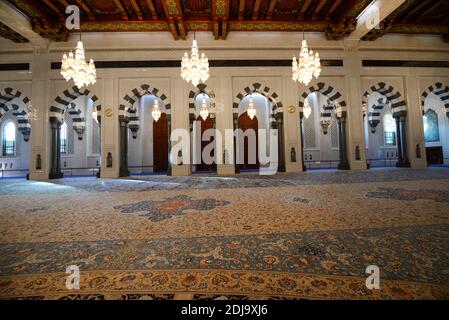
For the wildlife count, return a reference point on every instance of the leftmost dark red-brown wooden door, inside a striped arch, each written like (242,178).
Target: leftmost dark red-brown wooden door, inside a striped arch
(160,144)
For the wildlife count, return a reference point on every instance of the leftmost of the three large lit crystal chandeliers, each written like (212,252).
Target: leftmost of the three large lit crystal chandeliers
(75,67)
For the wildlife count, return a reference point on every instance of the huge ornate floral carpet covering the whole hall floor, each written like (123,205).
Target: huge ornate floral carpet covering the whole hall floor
(289,236)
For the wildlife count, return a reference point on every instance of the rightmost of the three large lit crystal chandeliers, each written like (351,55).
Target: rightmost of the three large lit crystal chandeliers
(307,66)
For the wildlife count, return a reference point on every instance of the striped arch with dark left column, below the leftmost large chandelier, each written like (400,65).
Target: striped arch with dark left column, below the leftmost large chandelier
(61,105)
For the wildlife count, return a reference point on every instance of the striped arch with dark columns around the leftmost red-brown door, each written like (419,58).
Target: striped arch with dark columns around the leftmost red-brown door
(129,118)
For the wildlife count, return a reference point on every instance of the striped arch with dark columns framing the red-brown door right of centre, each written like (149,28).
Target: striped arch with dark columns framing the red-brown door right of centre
(276,118)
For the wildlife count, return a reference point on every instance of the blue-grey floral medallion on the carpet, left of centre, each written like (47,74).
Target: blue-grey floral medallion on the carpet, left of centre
(170,207)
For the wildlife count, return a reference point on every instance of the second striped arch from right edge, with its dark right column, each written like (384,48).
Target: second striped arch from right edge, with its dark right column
(399,109)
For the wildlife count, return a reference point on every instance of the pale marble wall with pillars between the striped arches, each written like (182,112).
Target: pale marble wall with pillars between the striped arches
(42,85)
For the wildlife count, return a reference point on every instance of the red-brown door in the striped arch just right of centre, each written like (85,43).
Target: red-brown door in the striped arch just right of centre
(245,123)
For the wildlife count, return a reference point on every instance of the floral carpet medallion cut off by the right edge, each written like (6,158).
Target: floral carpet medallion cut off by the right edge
(410,195)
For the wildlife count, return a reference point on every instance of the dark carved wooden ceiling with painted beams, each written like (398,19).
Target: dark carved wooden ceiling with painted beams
(335,18)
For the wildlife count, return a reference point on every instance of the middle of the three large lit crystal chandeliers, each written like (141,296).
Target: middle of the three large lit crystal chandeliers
(195,69)
